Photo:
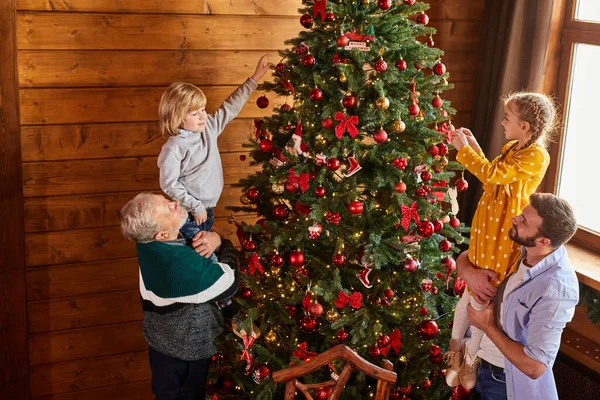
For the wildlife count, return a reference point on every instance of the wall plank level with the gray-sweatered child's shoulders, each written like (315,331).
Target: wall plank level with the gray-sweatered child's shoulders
(133,139)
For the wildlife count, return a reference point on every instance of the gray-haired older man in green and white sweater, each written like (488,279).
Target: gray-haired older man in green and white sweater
(179,286)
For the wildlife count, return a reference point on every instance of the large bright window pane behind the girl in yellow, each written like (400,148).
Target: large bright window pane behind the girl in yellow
(578,177)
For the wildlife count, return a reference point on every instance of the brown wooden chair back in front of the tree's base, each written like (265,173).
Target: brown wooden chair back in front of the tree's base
(385,376)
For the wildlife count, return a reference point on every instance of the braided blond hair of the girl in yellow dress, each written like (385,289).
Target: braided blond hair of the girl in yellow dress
(539,111)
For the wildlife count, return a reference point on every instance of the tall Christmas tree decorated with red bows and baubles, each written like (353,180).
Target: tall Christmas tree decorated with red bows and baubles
(355,238)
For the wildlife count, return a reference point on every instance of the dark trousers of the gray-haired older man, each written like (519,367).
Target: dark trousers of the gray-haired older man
(175,379)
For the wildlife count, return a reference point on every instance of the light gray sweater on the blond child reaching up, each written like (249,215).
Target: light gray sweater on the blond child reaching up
(190,164)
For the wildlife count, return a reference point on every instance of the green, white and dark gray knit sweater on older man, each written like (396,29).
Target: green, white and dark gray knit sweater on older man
(179,289)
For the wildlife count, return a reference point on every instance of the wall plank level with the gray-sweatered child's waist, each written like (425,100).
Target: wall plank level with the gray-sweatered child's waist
(108,175)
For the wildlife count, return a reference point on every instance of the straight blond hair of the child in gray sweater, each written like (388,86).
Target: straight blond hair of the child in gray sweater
(179,99)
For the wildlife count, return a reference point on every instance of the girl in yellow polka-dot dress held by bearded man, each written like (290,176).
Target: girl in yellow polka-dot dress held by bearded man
(508,181)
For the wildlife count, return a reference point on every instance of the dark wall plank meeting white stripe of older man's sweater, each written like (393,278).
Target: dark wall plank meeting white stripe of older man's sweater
(80,312)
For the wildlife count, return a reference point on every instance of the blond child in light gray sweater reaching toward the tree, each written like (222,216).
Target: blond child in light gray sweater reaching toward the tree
(189,162)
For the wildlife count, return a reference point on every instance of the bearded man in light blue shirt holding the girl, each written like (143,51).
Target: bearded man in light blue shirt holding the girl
(531,307)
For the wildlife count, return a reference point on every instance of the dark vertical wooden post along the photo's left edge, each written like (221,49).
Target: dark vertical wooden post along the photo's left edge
(13,333)
